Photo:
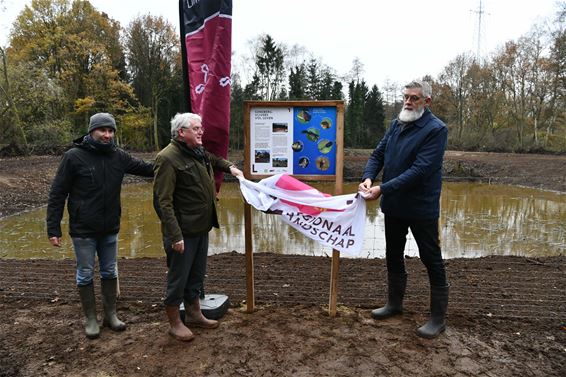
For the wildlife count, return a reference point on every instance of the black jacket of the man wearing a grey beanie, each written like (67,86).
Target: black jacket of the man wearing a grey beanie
(91,178)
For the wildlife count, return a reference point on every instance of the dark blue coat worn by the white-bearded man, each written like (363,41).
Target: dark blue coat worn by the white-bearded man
(411,159)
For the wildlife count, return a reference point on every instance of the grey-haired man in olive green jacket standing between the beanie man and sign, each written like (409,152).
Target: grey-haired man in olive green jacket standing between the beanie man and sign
(186,204)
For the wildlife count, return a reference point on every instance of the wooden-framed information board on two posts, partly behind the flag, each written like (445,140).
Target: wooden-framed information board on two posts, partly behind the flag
(300,138)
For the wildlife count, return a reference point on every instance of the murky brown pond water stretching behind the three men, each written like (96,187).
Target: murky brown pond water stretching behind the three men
(476,220)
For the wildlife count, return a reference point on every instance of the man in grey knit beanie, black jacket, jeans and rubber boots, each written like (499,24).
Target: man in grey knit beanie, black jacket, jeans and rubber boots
(90,178)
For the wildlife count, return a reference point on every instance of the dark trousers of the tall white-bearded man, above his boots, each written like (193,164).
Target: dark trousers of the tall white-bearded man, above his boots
(428,242)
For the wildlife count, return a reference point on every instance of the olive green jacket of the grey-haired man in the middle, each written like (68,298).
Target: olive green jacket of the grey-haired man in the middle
(184,191)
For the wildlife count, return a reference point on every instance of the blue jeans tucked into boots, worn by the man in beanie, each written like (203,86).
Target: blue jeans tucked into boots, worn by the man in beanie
(85,251)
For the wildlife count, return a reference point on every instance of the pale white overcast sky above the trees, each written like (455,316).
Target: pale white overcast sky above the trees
(395,40)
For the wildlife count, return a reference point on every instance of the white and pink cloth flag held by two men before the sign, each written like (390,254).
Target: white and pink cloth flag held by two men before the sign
(334,221)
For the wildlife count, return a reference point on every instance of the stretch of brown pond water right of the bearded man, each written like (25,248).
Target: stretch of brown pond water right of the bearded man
(482,220)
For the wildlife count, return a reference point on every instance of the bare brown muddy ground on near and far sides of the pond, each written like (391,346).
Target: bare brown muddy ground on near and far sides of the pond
(507,315)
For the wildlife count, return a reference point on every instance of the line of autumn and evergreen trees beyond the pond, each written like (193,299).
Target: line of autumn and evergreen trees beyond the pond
(66,61)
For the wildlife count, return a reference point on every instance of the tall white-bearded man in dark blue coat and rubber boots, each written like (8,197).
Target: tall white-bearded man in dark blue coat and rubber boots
(411,154)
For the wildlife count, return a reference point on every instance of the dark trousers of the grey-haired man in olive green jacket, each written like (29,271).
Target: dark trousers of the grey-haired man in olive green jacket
(185,276)
